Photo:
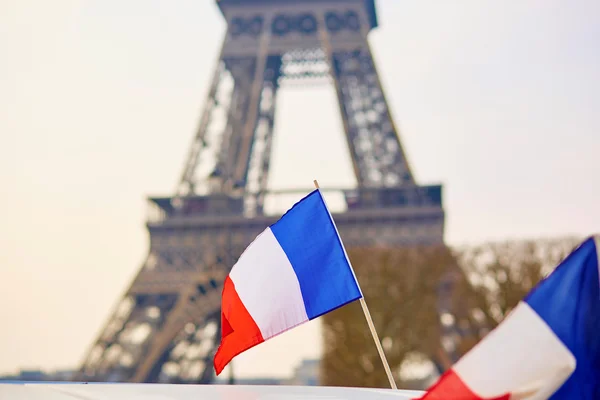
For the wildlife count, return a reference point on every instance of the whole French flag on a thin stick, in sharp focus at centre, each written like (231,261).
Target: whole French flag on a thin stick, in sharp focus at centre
(293,272)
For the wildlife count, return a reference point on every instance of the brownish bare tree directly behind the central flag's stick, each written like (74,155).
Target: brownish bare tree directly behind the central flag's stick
(400,288)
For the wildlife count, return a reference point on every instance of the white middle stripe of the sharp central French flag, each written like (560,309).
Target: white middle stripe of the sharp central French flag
(267,285)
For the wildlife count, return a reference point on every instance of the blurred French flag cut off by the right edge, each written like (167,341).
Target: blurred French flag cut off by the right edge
(548,347)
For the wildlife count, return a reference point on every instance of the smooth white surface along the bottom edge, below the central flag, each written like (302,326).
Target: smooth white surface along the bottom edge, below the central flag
(69,391)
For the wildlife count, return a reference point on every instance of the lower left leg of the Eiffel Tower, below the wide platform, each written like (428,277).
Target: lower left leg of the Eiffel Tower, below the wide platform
(167,326)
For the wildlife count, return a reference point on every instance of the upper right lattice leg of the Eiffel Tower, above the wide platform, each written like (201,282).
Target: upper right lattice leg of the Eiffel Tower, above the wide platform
(372,137)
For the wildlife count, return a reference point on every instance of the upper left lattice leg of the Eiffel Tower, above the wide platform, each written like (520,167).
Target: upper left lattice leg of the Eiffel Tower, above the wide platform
(241,150)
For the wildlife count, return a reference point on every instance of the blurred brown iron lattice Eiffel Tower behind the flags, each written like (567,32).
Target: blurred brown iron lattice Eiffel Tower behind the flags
(166,327)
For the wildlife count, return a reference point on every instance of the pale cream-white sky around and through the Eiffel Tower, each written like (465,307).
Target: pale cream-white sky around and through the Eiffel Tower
(99,100)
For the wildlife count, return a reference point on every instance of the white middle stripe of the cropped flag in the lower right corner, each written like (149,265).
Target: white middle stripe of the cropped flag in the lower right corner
(521,353)
